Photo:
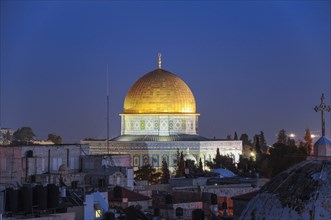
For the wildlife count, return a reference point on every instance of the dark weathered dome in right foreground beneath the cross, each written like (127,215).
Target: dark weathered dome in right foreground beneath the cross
(300,192)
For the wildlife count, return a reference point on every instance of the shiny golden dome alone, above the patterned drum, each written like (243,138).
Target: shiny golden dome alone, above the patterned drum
(159,92)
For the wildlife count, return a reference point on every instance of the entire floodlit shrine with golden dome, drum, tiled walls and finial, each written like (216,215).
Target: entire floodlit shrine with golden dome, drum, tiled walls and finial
(160,117)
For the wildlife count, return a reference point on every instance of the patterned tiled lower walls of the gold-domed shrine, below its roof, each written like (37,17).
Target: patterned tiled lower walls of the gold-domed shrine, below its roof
(153,152)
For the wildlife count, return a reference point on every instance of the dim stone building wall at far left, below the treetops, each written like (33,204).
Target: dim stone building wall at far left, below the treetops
(18,163)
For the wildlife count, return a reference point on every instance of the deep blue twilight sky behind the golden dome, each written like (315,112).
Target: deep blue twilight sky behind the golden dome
(252,65)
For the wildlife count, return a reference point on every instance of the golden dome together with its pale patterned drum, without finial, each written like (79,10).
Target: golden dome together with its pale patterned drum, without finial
(159,103)
